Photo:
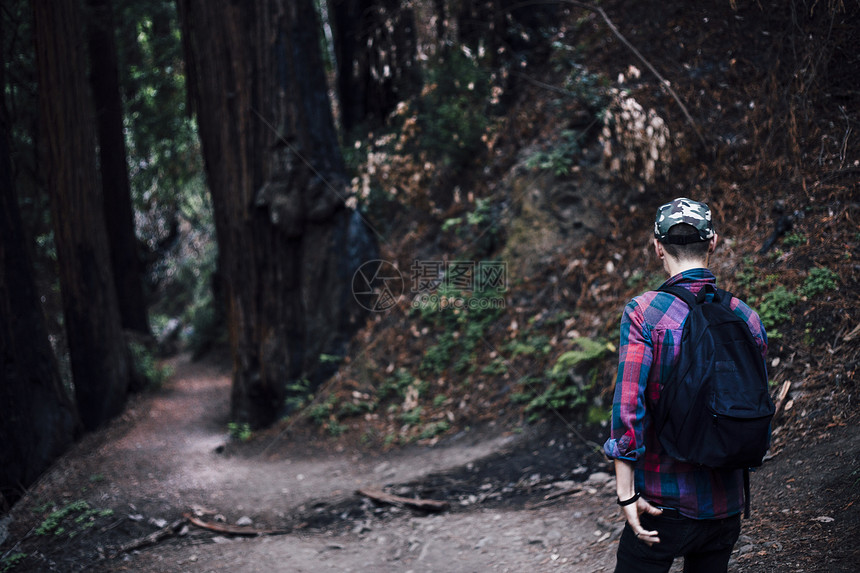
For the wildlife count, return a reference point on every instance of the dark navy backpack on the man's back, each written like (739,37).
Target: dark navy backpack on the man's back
(715,408)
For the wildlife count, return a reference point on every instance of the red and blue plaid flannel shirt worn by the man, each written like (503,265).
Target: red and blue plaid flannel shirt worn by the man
(651,327)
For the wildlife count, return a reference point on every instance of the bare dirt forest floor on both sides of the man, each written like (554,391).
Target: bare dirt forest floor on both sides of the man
(150,492)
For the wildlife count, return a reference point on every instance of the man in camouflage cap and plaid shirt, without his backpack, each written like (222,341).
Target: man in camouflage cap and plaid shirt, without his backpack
(672,508)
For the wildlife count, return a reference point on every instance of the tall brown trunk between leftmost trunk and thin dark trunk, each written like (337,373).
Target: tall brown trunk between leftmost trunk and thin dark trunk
(97,352)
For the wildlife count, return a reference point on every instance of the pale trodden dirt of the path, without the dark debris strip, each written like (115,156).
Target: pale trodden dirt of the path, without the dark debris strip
(164,460)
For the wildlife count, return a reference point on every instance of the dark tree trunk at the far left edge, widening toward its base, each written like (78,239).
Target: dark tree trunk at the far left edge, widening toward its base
(37,418)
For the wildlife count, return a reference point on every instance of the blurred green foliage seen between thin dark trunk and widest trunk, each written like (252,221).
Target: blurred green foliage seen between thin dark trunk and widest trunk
(166,171)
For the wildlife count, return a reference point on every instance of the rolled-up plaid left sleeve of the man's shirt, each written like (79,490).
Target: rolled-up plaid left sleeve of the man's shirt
(626,439)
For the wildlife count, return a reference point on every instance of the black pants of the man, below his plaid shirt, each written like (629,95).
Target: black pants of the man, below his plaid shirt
(705,544)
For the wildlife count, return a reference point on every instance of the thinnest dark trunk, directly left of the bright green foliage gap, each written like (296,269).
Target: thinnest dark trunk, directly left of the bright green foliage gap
(119,215)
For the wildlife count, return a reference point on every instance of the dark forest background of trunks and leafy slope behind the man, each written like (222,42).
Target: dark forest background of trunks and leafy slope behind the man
(207,177)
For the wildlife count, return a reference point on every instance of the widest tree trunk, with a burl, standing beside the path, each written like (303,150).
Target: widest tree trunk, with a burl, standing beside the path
(288,246)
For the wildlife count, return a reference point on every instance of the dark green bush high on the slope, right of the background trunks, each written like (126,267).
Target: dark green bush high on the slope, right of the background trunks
(454,108)
